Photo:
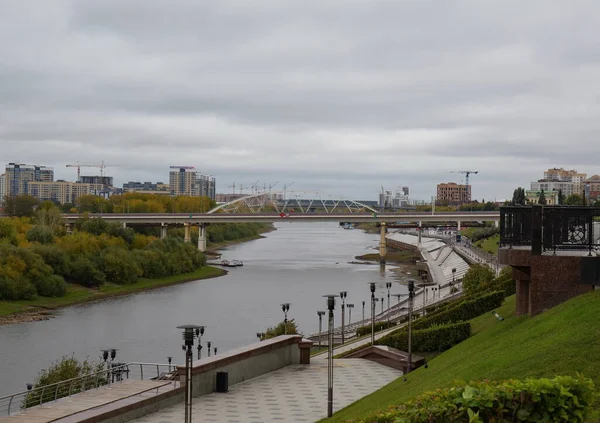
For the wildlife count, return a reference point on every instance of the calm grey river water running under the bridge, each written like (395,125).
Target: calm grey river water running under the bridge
(297,263)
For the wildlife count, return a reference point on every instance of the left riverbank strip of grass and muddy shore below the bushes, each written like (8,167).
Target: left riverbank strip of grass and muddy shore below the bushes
(41,307)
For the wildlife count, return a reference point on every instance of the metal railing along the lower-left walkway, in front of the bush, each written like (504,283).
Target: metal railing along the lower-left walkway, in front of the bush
(113,373)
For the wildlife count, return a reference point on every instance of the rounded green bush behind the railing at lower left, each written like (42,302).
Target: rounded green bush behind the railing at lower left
(64,369)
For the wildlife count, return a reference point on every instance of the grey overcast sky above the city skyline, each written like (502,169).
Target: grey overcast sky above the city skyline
(337,96)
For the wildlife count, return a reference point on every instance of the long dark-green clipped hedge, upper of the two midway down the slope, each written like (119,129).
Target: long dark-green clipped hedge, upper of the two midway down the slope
(466,310)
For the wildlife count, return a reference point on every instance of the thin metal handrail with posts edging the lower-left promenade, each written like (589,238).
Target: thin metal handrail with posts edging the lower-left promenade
(113,373)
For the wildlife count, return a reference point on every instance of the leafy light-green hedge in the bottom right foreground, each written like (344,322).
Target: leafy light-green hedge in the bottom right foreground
(561,399)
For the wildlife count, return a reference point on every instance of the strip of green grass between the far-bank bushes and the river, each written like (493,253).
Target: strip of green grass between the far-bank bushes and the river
(78,294)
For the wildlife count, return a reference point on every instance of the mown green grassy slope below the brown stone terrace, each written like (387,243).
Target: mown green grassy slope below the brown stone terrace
(563,340)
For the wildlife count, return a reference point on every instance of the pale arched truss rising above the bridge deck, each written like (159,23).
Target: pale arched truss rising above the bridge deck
(291,202)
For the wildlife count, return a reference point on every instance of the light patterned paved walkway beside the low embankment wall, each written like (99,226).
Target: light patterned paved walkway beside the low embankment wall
(292,394)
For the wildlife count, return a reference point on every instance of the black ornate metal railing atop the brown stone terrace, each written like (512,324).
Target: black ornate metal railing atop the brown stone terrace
(553,228)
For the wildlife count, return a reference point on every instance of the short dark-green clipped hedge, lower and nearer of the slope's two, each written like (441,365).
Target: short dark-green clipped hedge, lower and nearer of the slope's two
(434,339)
